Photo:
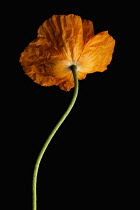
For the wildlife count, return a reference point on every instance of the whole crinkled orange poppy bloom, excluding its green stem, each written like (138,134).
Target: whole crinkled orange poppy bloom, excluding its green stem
(64,40)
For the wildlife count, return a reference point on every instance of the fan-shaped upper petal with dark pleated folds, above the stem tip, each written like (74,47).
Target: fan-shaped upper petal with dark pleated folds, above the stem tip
(65,33)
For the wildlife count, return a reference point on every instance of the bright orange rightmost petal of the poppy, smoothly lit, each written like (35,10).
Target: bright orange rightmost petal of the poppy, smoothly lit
(97,53)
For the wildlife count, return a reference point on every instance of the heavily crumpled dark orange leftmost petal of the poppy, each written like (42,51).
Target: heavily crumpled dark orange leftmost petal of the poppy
(44,64)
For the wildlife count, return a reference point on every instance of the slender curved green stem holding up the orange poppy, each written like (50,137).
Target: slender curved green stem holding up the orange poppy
(34,183)
